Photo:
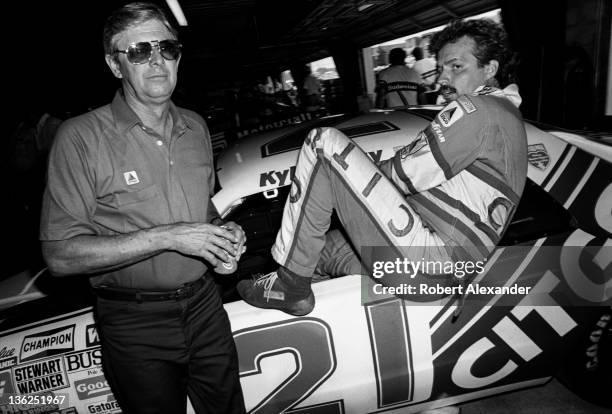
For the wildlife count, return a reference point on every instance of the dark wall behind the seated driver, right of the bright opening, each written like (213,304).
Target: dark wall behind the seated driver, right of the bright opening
(564,47)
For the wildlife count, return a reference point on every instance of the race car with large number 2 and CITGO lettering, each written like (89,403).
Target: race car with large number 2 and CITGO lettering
(361,351)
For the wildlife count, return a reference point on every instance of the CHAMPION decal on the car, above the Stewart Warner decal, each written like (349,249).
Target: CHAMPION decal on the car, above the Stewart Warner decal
(53,342)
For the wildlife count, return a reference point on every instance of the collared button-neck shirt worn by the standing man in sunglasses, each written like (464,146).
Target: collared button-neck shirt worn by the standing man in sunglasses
(109,174)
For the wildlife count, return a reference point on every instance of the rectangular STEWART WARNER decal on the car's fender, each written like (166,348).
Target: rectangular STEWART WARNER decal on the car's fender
(40,376)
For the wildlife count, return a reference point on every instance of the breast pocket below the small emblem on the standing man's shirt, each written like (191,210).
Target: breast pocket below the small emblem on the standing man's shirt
(129,211)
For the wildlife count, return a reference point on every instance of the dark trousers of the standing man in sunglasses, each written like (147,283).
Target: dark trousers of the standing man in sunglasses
(156,353)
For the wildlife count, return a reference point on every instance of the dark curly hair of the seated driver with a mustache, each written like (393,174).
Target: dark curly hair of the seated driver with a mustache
(491,44)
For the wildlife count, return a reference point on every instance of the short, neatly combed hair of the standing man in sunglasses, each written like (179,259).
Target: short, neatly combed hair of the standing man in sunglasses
(130,15)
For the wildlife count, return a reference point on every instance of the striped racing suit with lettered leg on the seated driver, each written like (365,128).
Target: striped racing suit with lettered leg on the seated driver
(446,196)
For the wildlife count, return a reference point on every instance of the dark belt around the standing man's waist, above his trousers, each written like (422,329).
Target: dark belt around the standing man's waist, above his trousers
(135,295)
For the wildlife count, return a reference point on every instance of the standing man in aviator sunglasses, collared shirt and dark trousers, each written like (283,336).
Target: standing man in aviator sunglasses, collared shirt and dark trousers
(128,203)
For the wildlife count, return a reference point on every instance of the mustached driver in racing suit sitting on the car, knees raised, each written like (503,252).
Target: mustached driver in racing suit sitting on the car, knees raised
(447,196)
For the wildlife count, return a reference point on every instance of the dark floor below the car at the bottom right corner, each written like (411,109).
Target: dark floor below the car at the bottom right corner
(550,398)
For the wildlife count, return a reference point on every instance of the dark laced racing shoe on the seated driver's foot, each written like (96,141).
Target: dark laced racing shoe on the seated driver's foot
(277,290)
